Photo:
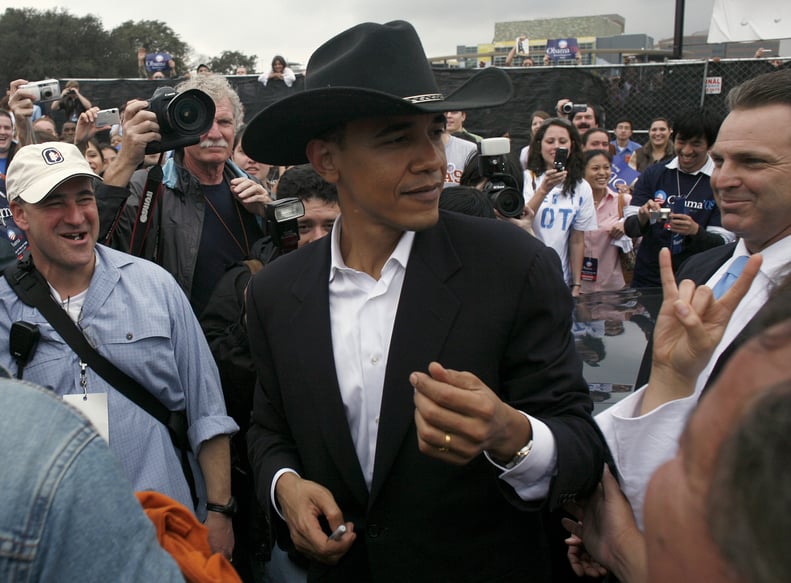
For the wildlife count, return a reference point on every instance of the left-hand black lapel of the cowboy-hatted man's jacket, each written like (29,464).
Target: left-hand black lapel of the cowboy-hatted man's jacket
(317,365)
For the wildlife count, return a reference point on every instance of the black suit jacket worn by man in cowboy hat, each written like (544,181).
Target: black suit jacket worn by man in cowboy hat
(478,295)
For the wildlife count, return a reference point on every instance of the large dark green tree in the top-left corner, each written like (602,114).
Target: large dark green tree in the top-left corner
(37,45)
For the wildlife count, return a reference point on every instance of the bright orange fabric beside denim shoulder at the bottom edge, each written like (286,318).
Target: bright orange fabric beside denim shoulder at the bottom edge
(186,539)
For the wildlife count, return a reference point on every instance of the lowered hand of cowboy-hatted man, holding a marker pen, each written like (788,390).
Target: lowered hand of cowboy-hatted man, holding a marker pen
(301,503)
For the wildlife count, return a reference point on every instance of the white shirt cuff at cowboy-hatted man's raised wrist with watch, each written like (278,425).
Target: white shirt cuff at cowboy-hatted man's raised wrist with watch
(531,477)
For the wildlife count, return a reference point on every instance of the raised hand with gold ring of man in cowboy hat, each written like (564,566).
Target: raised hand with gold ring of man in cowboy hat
(458,416)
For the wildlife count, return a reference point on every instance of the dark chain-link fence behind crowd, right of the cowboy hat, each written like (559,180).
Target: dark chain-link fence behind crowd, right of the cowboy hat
(638,92)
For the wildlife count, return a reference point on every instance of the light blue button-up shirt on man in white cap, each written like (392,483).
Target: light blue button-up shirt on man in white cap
(137,316)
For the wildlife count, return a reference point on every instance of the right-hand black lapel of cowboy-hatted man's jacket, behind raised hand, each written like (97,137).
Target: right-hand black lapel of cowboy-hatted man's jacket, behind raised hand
(426,311)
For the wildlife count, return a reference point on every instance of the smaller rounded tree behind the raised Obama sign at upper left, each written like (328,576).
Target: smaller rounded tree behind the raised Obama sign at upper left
(154,36)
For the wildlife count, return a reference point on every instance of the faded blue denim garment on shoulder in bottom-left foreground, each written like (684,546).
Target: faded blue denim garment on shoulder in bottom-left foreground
(67,511)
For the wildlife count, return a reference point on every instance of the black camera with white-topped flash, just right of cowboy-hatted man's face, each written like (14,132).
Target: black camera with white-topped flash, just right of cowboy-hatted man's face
(502,188)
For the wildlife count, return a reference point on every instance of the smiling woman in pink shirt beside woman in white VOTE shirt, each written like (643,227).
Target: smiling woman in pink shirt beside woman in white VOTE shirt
(601,266)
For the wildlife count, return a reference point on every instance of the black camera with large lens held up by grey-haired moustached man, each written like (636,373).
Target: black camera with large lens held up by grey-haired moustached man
(182,117)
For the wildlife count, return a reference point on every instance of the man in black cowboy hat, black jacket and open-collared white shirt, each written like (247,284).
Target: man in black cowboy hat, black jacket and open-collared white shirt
(437,403)
